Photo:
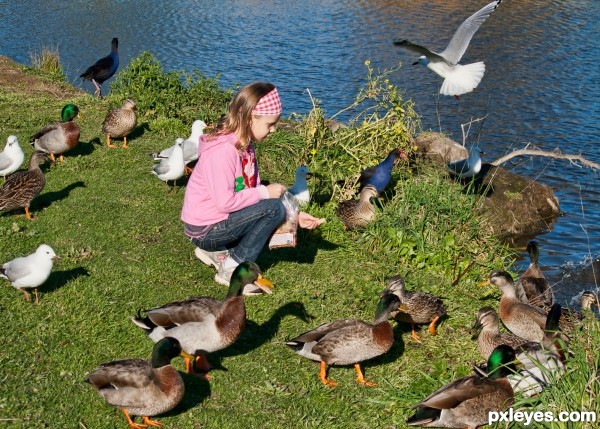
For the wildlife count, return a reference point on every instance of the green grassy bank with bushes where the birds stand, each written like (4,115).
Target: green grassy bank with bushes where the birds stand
(117,230)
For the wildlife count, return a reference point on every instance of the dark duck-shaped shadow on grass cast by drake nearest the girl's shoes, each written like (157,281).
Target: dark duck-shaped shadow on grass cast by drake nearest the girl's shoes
(256,335)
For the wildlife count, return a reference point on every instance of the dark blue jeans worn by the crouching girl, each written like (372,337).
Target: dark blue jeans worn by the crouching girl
(245,232)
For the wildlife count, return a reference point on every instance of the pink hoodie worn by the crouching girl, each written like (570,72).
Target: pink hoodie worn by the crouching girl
(210,194)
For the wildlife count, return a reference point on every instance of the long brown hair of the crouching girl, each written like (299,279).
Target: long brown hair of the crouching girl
(239,113)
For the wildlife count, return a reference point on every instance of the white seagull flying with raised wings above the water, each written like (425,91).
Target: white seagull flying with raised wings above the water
(458,79)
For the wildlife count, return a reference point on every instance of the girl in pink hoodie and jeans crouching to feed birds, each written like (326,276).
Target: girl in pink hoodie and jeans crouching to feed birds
(227,213)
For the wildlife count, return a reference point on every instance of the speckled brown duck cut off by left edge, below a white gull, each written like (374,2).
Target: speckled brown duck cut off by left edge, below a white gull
(22,187)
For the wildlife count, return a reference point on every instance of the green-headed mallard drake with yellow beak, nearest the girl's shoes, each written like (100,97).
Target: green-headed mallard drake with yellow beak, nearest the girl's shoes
(204,324)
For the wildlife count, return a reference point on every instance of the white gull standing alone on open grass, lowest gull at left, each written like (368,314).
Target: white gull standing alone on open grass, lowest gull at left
(29,272)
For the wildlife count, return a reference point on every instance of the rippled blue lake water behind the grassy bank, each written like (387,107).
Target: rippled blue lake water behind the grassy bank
(542,83)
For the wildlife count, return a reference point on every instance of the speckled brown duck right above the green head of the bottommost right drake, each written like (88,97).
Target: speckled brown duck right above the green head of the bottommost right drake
(487,332)
